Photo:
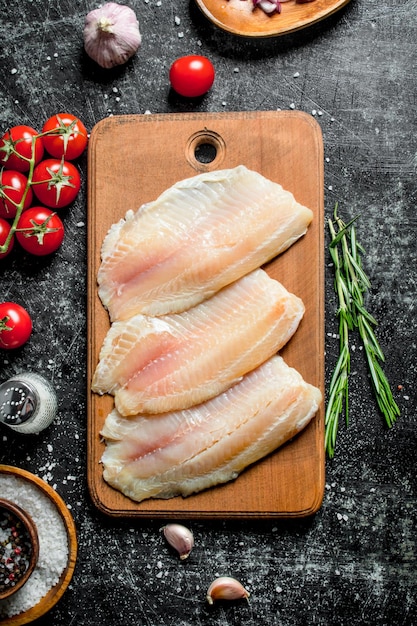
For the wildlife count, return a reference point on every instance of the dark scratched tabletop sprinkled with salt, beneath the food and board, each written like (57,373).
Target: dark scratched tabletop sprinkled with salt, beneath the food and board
(354,562)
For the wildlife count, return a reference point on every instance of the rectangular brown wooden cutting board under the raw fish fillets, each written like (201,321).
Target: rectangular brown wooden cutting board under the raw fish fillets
(132,159)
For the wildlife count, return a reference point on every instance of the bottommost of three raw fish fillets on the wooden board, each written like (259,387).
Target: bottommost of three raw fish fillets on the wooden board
(183,452)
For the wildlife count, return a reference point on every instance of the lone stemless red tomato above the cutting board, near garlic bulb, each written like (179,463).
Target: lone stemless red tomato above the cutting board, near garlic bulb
(191,76)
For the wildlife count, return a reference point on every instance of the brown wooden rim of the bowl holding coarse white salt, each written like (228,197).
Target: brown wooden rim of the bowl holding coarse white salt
(56,592)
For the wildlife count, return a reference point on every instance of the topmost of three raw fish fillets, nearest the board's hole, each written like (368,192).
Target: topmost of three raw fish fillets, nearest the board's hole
(201,234)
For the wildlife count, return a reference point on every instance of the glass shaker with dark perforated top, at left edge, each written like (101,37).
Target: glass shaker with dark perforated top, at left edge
(28,403)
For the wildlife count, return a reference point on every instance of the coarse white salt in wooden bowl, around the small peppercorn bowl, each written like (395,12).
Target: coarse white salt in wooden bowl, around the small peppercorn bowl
(53,544)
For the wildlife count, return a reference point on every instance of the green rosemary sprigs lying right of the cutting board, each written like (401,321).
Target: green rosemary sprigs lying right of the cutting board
(351,283)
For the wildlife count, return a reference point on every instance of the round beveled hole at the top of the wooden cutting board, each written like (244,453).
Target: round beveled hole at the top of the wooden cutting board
(205,150)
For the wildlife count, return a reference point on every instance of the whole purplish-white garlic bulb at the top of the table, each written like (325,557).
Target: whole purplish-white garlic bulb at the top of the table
(111,34)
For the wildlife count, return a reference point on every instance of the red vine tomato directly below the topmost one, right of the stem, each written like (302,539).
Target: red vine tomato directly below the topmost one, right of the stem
(56,183)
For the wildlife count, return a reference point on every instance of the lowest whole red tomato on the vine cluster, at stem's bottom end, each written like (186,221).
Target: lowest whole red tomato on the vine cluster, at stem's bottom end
(40,231)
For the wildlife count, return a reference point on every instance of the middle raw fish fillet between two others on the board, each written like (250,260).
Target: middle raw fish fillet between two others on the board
(157,364)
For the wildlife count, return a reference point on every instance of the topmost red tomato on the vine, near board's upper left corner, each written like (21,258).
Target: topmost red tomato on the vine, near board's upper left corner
(69,139)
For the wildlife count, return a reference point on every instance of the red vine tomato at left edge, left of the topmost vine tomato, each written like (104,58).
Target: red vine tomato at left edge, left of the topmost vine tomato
(16,148)
